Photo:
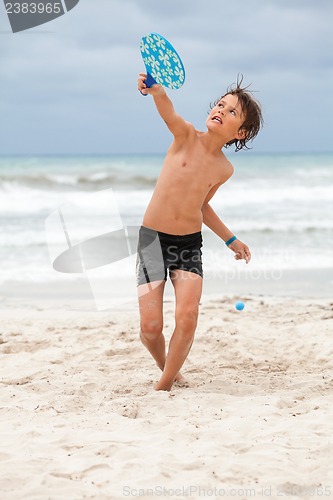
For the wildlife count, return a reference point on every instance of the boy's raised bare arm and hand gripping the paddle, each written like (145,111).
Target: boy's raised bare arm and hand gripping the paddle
(175,123)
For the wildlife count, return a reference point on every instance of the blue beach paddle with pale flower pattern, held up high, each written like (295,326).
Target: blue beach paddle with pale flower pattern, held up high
(163,64)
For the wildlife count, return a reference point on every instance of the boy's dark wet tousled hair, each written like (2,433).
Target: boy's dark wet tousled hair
(251,109)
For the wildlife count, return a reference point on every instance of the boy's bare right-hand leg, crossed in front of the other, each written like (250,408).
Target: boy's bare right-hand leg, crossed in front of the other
(188,289)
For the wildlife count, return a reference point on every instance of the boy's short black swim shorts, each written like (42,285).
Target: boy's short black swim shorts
(158,252)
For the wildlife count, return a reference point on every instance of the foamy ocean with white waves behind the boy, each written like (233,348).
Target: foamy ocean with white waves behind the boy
(281,205)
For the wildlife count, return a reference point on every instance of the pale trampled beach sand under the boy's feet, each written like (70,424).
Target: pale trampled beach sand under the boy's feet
(80,418)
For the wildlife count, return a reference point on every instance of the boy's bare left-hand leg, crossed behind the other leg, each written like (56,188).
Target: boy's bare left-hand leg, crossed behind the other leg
(151,320)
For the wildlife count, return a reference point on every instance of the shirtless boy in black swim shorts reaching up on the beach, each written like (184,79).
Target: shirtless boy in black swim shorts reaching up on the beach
(170,235)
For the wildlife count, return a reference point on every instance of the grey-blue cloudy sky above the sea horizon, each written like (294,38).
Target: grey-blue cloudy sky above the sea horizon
(69,86)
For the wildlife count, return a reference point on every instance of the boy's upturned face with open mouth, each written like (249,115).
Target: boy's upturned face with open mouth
(226,118)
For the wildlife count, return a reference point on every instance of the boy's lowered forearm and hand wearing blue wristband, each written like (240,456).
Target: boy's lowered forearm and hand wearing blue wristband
(212,220)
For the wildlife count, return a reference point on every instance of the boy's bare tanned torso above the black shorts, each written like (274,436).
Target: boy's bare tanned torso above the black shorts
(187,176)
